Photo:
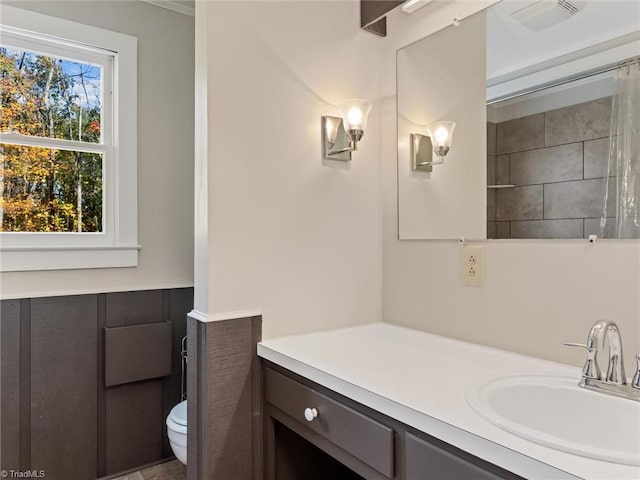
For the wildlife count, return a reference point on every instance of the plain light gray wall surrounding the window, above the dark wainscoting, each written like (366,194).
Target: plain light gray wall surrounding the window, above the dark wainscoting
(165,152)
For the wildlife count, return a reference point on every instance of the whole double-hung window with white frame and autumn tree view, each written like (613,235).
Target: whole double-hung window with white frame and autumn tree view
(67,145)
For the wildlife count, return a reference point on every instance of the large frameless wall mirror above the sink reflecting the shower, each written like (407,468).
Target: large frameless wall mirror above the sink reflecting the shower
(547,84)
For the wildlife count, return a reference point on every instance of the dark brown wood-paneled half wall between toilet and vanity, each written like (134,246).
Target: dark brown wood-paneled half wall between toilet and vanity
(225,402)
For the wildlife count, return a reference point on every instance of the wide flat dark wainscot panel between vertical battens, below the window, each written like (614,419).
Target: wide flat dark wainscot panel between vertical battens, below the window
(63,394)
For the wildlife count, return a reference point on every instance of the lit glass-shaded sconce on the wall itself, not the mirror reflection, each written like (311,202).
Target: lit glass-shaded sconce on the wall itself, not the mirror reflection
(340,136)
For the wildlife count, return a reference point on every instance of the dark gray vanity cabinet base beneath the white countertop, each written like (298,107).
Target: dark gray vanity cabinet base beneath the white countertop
(366,443)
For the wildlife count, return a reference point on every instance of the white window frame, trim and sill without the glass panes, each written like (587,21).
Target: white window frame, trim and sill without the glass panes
(117,244)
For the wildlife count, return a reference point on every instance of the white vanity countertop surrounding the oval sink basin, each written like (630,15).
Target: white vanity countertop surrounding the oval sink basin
(421,379)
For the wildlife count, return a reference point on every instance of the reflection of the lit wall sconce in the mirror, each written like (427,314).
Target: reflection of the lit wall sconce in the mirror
(437,141)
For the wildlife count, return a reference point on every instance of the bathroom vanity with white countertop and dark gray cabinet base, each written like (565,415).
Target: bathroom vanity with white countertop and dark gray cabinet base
(385,402)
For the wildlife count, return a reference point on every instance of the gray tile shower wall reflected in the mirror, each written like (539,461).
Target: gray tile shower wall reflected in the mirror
(557,161)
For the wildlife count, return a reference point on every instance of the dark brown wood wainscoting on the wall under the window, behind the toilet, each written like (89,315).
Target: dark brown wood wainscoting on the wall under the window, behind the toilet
(56,414)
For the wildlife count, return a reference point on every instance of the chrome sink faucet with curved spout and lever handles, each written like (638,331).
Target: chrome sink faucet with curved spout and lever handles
(615,382)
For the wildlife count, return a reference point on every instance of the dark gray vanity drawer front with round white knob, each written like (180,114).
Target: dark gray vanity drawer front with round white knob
(364,438)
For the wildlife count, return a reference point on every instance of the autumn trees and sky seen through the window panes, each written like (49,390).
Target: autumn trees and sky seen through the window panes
(44,189)
